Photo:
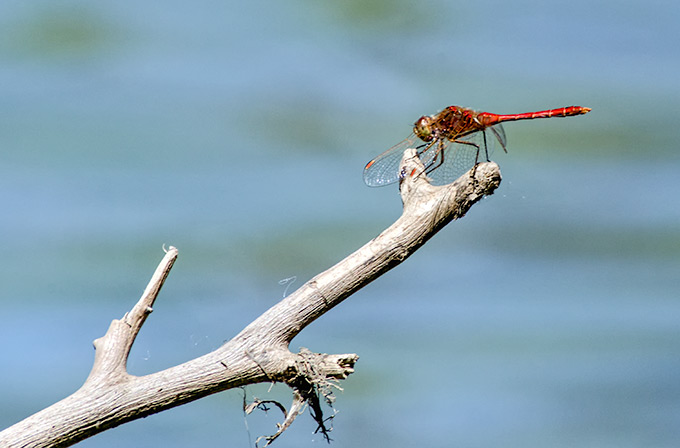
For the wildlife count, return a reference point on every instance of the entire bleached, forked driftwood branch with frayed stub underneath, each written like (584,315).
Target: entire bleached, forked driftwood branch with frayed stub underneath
(110,396)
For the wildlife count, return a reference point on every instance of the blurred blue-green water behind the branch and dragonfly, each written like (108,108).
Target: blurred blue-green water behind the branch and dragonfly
(237,132)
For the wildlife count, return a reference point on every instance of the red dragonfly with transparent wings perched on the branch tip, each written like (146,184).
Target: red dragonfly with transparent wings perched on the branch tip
(449,143)
